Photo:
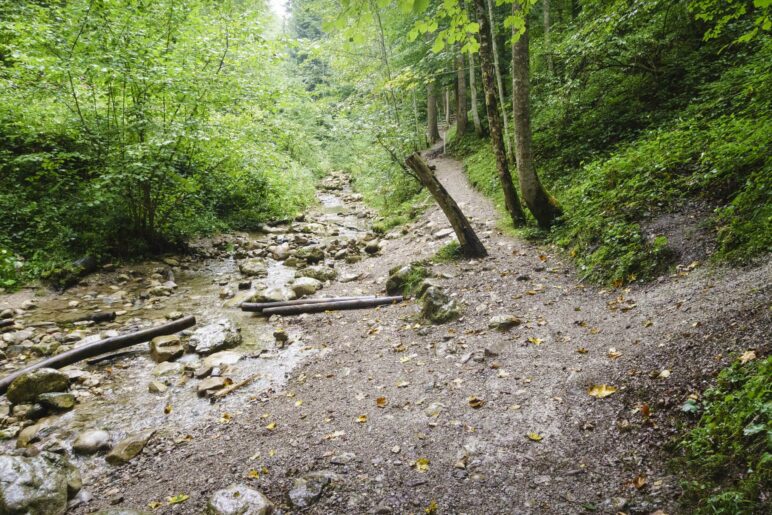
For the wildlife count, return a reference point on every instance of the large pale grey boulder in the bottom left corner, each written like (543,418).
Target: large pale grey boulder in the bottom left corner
(38,485)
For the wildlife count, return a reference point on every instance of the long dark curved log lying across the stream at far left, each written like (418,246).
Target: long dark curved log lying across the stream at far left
(101,347)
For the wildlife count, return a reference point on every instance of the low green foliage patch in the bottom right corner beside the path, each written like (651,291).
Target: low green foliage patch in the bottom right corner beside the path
(727,457)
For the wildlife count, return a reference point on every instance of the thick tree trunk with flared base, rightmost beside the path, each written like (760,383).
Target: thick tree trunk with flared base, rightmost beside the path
(543,206)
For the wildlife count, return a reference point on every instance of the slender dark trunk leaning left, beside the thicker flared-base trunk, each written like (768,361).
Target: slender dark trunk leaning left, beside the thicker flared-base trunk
(511,201)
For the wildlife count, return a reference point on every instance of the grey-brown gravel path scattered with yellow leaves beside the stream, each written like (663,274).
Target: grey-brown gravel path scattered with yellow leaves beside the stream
(404,417)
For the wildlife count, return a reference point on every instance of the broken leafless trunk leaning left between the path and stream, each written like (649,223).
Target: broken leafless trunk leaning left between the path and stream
(471,246)
